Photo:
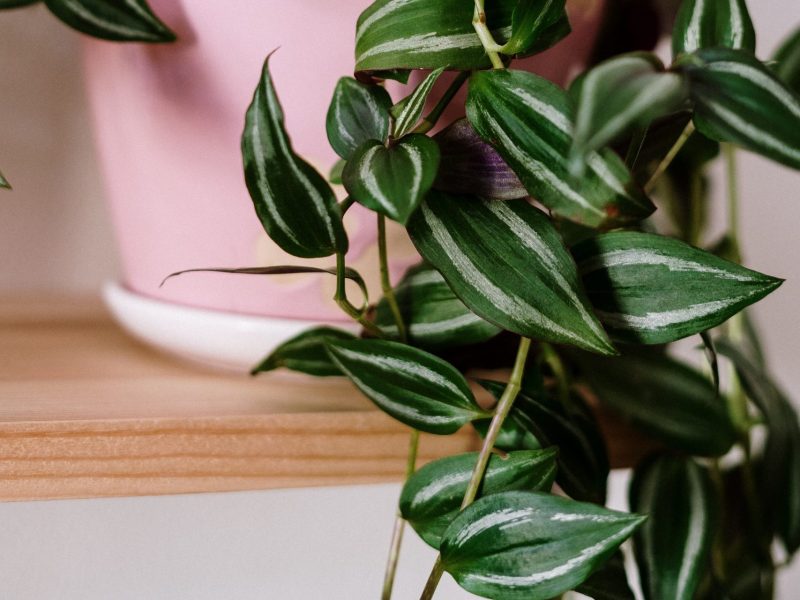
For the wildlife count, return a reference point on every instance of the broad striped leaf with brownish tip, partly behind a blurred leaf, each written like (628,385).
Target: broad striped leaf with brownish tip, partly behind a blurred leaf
(529,121)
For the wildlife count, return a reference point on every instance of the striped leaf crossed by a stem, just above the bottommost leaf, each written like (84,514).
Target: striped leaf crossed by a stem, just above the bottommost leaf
(432,496)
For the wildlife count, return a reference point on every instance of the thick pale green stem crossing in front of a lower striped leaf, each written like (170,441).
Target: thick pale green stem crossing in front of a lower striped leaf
(504,405)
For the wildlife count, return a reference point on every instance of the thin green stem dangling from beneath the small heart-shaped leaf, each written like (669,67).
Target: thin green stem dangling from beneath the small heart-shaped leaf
(399,522)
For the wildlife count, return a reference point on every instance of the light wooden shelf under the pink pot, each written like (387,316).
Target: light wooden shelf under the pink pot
(85,412)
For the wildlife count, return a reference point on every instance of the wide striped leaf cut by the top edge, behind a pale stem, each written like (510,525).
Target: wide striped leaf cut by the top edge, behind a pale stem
(427,34)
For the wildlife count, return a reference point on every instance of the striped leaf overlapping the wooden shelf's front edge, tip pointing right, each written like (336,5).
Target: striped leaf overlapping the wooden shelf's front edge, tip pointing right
(414,387)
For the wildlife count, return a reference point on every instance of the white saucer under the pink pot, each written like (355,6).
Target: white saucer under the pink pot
(212,338)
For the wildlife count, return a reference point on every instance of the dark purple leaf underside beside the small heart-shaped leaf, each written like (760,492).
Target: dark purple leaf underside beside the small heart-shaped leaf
(471,166)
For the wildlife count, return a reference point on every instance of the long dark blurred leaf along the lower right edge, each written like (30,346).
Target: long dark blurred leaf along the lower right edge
(779,468)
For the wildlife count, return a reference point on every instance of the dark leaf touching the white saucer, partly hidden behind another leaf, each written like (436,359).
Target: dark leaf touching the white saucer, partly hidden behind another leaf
(306,353)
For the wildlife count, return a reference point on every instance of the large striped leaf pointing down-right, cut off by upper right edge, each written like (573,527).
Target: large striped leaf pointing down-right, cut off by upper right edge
(737,99)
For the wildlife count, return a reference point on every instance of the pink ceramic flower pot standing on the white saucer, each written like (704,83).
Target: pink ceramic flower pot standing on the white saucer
(168,122)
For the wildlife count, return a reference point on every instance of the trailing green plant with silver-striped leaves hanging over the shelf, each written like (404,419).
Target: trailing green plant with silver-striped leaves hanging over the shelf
(568,223)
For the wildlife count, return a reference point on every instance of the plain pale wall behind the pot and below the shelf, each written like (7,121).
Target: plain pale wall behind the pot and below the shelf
(55,236)
